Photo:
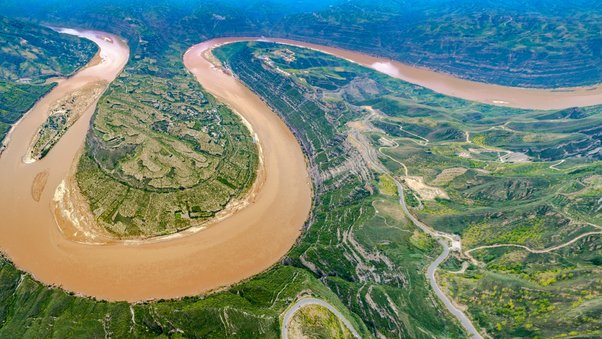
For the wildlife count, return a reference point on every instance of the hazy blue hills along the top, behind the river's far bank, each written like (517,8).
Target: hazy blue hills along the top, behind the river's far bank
(520,43)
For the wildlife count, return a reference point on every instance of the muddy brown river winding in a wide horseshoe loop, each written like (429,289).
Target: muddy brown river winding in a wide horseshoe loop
(231,249)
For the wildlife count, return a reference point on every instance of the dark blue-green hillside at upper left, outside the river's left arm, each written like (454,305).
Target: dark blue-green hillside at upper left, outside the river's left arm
(29,55)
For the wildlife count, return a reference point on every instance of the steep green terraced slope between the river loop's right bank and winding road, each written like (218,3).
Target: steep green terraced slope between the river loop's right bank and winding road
(359,242)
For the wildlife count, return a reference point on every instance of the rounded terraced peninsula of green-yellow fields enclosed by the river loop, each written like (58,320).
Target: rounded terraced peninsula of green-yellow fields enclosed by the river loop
(162,156)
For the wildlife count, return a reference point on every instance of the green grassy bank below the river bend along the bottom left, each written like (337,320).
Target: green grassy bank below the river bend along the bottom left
(251,309)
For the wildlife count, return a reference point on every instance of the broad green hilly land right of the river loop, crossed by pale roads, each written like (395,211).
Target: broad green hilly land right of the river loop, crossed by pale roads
(472,169)
